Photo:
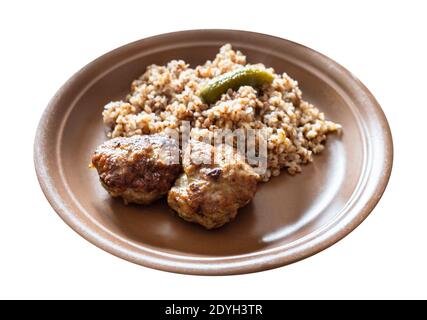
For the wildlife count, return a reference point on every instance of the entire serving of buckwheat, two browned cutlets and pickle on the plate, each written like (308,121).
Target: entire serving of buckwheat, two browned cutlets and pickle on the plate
(227,93)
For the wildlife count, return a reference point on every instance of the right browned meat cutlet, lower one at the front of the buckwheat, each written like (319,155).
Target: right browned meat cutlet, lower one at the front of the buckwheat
(211,194)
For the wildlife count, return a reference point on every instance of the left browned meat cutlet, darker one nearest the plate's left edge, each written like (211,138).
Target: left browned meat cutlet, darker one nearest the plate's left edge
(139,169)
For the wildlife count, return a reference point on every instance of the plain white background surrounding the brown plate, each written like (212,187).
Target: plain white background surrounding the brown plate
(44,43)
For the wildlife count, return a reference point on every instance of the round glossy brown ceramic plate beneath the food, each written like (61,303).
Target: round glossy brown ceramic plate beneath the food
(291,217)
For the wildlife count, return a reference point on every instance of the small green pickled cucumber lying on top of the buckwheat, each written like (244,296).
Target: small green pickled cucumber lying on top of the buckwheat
(212,92)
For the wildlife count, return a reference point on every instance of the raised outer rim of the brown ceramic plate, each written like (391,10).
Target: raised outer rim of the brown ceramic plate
(238,264)
